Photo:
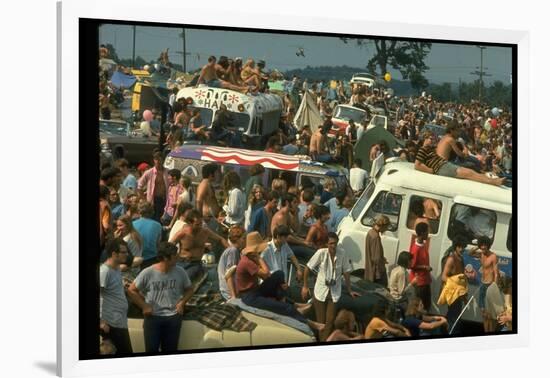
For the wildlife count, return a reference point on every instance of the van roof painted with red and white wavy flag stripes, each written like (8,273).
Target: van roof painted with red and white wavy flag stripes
(225,155)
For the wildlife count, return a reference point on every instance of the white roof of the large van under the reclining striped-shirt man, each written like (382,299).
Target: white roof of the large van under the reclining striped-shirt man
(403,174)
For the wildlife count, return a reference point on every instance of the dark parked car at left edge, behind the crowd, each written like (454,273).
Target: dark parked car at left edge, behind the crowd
(118,140)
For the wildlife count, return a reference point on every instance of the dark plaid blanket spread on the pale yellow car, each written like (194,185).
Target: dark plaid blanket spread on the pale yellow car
(225,316)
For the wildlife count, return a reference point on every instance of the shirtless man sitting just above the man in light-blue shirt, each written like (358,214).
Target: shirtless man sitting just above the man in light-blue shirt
(288,216)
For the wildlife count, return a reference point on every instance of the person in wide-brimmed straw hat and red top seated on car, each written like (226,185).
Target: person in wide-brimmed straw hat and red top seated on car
(250,268)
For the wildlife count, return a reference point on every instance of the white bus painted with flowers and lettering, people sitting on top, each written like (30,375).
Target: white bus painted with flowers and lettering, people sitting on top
(254,116)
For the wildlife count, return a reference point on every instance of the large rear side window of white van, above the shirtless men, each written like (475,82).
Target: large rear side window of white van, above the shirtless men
(471,222)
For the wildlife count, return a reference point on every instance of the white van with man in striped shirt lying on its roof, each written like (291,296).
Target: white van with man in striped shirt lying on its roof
(464,205)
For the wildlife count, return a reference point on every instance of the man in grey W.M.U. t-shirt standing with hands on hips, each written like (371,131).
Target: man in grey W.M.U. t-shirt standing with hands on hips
(161,291)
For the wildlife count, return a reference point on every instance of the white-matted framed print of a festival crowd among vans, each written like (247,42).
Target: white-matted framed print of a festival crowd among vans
(249,184)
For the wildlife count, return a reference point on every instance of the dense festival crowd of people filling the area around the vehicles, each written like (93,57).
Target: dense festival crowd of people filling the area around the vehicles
(155,227)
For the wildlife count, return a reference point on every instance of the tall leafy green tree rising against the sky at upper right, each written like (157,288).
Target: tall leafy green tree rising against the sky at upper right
(405,56)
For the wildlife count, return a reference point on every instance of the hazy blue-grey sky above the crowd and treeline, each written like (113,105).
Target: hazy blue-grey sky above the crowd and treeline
(448,62)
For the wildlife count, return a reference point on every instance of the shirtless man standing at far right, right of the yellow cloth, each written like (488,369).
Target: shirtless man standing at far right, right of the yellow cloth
(489,269)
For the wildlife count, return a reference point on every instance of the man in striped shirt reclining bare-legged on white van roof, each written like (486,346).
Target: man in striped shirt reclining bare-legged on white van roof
(428,161)
